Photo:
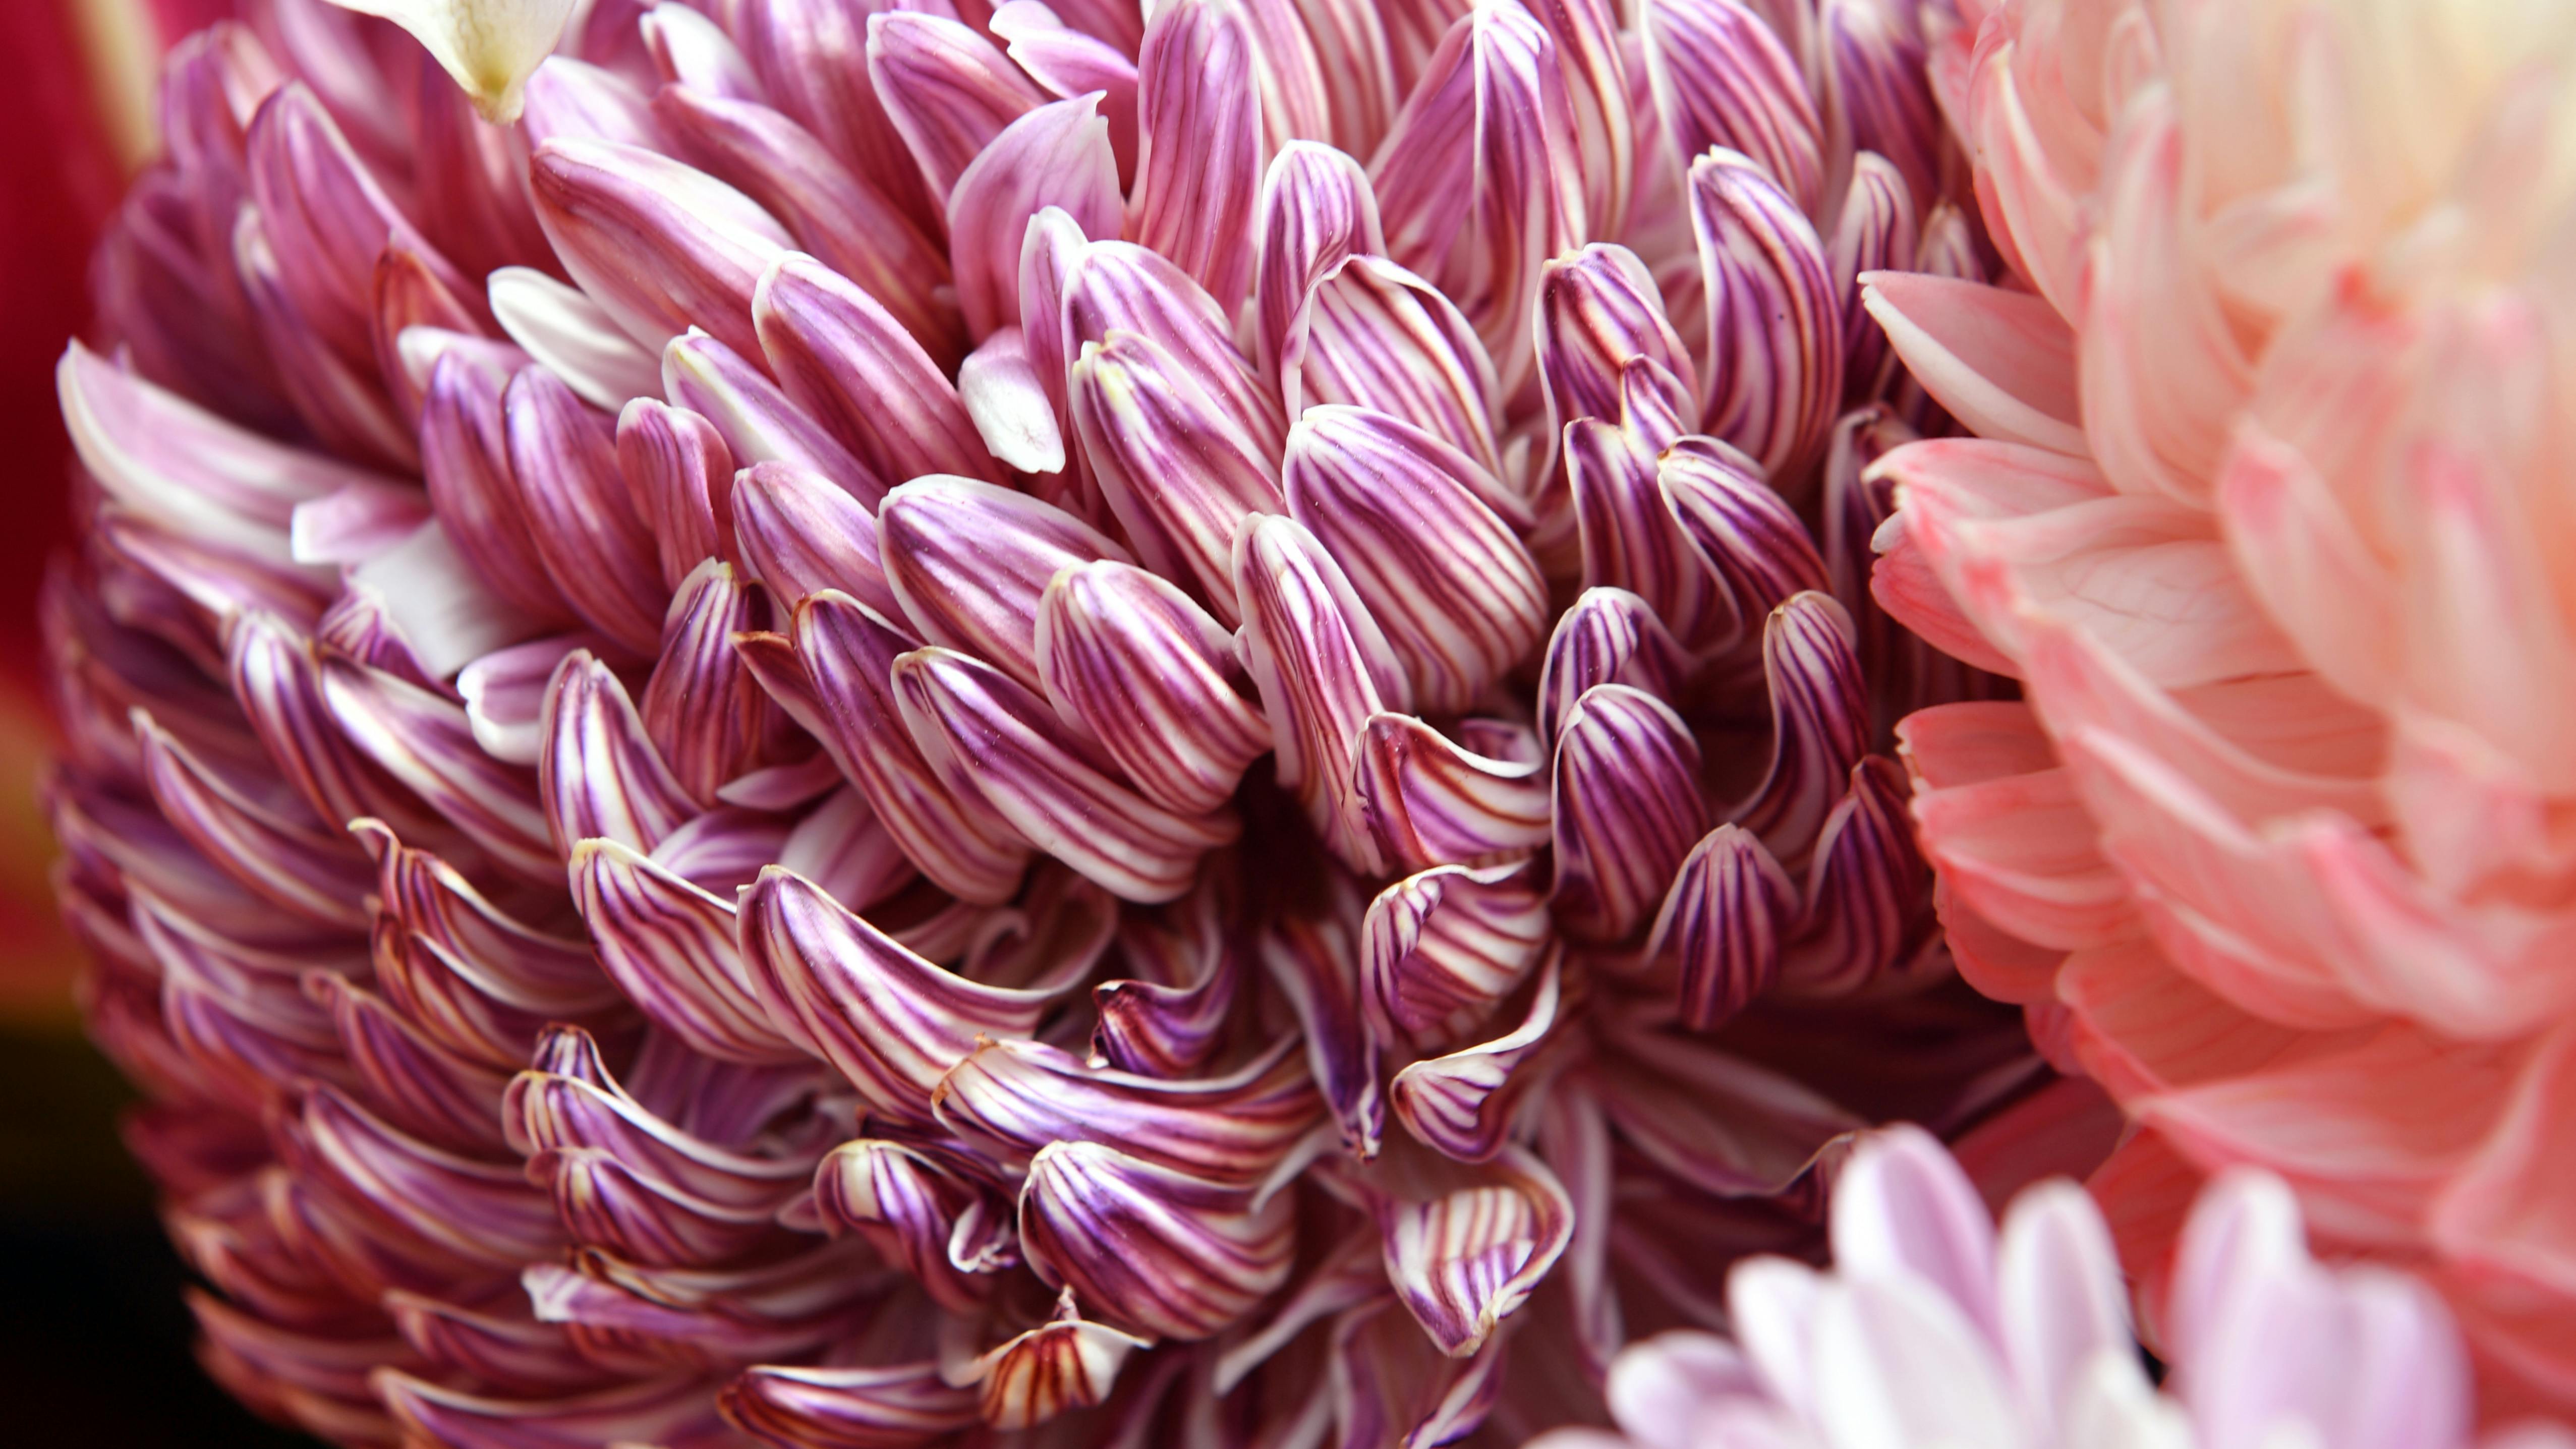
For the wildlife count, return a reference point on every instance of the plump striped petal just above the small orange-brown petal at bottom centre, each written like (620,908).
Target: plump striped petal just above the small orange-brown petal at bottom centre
(1158,1250)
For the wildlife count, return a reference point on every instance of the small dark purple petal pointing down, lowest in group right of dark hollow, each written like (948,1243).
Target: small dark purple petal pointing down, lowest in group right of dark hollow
(1725,923)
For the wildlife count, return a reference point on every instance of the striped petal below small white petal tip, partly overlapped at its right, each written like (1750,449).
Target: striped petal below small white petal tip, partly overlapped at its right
(970,565)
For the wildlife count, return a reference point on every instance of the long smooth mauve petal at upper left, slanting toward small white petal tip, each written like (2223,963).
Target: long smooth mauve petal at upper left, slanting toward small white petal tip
(828,210)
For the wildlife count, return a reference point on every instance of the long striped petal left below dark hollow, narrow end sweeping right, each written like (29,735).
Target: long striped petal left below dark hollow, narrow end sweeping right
(887,1018)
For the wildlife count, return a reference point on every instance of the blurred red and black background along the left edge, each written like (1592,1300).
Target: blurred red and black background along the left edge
(94,1342)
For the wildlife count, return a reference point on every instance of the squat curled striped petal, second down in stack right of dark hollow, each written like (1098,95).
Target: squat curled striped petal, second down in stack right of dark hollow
(1439,951)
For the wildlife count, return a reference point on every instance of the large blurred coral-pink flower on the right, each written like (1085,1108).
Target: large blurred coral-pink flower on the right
(2271,513)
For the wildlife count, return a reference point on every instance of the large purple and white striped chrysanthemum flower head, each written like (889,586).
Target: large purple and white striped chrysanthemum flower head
(1037,719)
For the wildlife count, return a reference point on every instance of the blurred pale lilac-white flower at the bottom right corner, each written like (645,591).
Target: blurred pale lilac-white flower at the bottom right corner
(1933,1329)
